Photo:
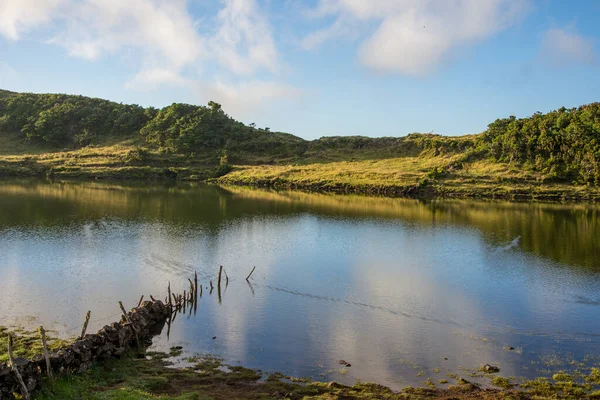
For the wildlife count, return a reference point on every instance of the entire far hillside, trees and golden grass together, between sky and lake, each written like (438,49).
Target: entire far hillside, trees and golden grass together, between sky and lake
(554,155)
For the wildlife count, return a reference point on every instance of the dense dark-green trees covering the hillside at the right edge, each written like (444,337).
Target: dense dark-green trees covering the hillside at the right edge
(562,144)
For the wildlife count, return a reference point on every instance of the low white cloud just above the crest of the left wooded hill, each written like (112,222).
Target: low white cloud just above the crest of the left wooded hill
(245,97)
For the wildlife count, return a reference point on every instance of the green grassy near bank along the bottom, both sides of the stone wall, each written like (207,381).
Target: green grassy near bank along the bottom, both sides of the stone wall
(145,375)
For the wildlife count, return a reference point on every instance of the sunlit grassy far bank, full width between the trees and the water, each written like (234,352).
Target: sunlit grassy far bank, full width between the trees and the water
(422,176)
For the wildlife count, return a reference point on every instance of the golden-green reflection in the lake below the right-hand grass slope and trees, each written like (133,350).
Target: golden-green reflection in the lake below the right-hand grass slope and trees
(563,233)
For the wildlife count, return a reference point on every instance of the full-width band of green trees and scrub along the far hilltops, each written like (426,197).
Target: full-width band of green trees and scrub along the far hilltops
(563,145)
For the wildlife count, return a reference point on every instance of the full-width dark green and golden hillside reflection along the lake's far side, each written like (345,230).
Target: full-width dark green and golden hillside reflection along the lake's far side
(564,233)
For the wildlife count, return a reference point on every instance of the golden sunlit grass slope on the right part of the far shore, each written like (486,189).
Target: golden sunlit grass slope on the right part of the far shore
(424,175)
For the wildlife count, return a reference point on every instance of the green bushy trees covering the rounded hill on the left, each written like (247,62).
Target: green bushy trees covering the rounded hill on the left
(59,120)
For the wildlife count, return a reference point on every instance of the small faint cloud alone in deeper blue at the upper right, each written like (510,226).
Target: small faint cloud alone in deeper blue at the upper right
(563,47)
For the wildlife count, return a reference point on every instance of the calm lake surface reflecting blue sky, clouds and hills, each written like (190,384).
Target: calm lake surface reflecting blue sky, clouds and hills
(392,286)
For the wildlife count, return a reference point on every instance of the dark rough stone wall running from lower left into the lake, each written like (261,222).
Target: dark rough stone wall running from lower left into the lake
(113,340)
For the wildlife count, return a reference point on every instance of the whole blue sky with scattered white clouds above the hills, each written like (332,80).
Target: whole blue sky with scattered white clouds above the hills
(317,67)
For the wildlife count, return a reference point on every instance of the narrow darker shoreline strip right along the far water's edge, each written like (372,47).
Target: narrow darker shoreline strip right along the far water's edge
(518,192)
